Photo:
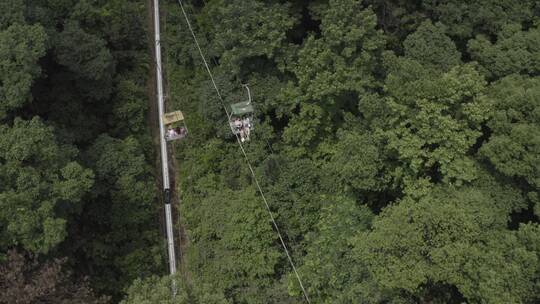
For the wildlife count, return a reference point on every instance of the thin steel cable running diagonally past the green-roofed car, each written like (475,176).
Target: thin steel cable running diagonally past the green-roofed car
(276,227)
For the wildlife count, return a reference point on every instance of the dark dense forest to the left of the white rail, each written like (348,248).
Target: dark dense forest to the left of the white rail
(79,215)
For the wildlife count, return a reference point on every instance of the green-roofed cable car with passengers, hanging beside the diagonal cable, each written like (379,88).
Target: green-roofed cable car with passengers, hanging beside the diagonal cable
(241,117)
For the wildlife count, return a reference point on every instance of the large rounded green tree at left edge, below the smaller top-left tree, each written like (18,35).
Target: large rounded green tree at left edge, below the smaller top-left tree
(41,186)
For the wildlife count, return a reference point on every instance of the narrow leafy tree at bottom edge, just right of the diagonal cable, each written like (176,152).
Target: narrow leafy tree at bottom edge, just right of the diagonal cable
(333,271)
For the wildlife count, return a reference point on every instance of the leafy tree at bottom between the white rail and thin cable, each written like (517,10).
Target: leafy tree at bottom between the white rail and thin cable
(233,248)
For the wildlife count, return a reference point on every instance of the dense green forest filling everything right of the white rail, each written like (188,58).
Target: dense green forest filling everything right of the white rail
(399,166)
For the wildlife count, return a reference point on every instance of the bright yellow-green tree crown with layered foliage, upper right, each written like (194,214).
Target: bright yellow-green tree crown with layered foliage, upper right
(436,120)
